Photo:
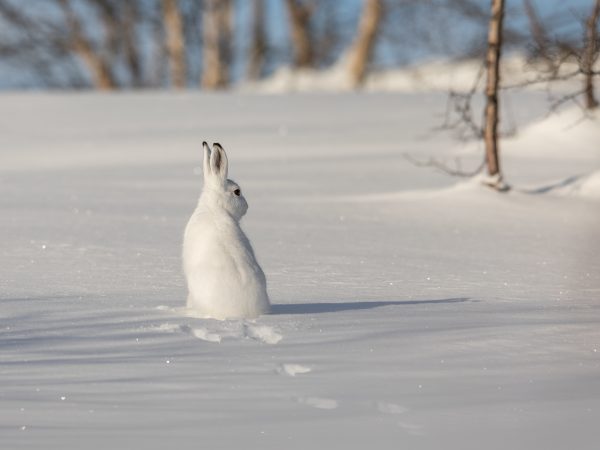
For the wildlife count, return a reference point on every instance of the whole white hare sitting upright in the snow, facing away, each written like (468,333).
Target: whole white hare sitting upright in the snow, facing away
(223,277)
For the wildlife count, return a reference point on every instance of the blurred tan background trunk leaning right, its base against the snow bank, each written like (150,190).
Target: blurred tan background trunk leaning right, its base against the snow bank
(362,49)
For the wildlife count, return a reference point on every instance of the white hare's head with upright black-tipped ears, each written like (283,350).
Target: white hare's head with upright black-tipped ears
(219,191)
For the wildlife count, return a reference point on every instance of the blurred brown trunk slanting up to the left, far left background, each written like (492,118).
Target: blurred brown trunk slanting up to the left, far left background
(102,75)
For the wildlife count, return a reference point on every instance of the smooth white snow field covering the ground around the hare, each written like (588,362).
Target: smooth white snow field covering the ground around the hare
(410,309)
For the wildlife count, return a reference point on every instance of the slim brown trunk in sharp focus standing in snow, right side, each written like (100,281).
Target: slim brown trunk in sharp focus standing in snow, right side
(491,92)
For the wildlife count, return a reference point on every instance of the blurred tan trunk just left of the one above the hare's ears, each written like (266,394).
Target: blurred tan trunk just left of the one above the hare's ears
(175,42)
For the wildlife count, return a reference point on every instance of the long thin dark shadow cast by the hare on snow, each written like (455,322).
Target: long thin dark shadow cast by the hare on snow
(328,307)
